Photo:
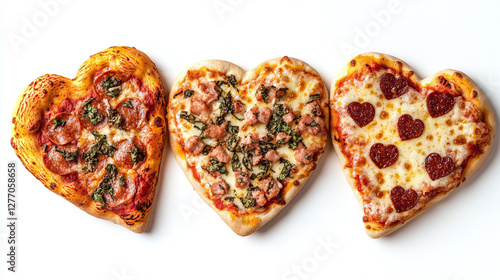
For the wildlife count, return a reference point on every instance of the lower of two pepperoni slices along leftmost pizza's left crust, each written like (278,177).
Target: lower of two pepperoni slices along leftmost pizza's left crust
(55,161)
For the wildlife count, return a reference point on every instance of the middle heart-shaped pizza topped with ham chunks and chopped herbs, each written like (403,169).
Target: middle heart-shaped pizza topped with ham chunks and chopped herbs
(248,141)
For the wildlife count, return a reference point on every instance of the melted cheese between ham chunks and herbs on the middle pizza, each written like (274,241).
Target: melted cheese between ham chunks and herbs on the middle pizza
(301,86)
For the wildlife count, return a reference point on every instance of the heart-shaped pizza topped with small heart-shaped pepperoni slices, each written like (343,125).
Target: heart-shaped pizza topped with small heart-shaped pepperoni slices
(406,143)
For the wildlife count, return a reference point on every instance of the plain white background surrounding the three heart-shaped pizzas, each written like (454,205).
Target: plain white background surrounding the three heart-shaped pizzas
(317,236)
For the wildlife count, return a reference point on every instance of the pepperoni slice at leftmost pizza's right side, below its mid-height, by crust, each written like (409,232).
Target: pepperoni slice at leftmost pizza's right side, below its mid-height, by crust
(127,151)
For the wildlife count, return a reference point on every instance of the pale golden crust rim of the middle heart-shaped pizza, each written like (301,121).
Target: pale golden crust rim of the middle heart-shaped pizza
(248,223)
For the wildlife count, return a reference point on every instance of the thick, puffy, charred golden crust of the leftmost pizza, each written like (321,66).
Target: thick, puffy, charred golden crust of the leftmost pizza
(48,90)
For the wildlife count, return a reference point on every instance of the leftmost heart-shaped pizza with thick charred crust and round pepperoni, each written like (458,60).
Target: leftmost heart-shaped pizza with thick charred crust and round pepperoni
(97,139)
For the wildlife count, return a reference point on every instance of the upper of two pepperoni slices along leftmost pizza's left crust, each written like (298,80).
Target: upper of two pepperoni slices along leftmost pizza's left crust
(63,128)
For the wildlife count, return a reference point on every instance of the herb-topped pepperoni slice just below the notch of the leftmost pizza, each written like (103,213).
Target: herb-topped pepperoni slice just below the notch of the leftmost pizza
(92,113)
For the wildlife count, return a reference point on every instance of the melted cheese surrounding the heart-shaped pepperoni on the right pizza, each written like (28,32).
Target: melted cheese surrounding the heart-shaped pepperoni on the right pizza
(444,135)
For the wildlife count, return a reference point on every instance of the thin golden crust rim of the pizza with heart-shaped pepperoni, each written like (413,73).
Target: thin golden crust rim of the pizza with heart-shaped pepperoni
(462,84)
